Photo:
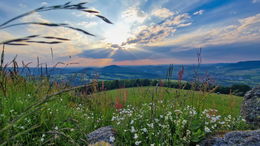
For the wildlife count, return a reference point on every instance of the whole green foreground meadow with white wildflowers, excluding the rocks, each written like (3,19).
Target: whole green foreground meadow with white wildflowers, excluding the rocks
(66,118)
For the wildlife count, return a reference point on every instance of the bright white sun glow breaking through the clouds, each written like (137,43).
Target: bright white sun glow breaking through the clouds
(117,34)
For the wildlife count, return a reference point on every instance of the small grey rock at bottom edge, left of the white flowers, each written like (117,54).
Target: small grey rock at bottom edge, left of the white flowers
(103,134)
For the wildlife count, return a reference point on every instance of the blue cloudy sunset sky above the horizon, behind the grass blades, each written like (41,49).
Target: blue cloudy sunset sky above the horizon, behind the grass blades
(144,32)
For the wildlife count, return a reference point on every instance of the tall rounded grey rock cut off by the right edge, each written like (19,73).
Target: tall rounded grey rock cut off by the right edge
(251,107)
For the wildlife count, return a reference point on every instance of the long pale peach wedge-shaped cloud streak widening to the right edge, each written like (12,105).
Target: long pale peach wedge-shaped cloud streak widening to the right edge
(246,30)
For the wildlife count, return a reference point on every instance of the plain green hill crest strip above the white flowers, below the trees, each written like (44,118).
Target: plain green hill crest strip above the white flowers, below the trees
(225,104)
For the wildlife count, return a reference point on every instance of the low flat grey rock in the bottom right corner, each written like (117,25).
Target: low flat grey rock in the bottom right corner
(235,138)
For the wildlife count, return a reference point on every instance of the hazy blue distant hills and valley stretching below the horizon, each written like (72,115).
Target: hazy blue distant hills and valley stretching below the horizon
(246,72)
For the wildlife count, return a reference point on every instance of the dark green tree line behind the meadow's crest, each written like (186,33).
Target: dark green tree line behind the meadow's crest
(236,89)
